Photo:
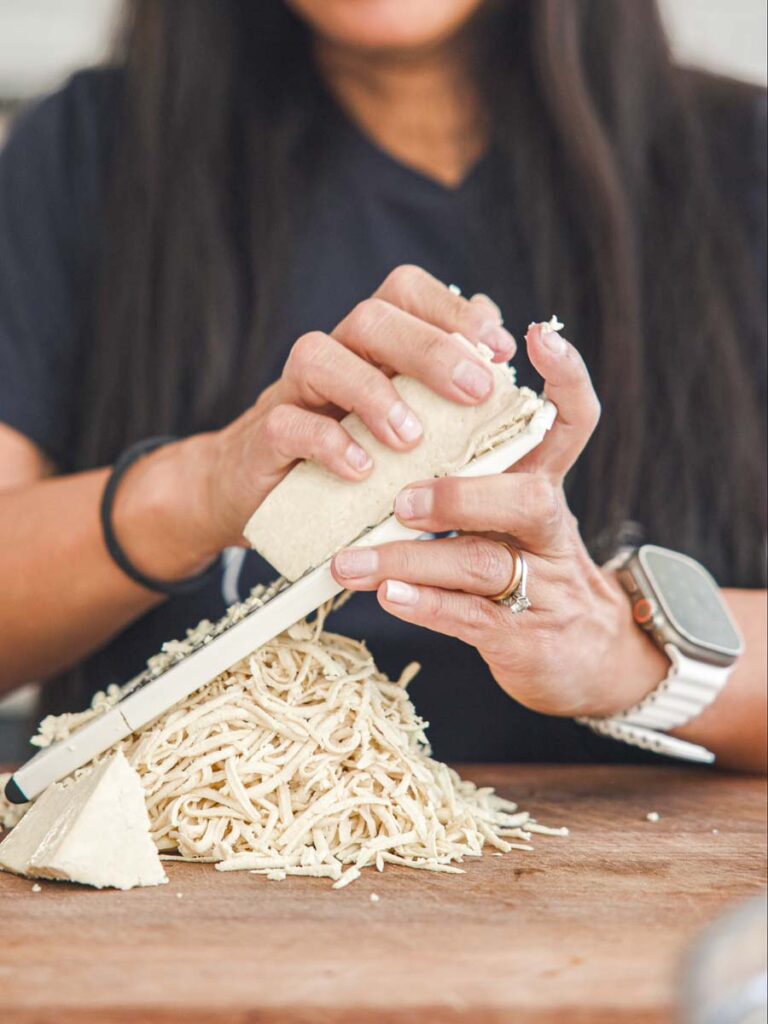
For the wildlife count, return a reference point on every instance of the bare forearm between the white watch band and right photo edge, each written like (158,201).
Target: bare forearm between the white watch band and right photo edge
(735,727)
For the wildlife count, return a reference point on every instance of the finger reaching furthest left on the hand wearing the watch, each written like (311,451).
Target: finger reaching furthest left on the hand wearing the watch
(474,565)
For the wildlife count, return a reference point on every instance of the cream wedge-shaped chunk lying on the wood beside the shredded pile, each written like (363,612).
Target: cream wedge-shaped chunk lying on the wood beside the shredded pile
(95,831)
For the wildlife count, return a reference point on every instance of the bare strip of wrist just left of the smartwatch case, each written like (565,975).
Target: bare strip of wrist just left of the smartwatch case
(633,666)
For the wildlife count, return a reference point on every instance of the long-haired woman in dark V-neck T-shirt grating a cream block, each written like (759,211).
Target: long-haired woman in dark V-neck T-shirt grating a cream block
(227,237)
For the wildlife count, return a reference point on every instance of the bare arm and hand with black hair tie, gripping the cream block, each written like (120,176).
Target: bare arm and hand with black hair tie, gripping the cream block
(179,507)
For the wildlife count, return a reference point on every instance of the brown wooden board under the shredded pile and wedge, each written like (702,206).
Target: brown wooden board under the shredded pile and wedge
(588,929)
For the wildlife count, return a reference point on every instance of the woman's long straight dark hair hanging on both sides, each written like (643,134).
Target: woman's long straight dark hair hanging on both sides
(603,139)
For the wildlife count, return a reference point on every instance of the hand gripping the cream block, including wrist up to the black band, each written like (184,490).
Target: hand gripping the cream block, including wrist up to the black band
(179,508)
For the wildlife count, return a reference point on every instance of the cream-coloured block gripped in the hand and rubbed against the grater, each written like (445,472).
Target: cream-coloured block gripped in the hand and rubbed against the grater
(312,514)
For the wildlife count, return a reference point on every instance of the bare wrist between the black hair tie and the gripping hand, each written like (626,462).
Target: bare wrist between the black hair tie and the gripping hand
(161,516)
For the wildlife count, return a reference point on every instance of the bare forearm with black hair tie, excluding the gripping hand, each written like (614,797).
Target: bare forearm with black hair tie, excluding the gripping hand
(63,596)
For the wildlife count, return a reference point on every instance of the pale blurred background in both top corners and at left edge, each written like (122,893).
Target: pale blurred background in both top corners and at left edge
(44,41)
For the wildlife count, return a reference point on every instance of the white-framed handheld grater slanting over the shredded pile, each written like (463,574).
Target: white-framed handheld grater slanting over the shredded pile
(244,628)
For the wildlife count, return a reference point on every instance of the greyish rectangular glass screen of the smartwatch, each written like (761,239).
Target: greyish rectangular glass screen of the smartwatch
(691,600)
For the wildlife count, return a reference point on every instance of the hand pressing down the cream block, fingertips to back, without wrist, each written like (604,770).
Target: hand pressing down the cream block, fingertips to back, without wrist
(408,326)
